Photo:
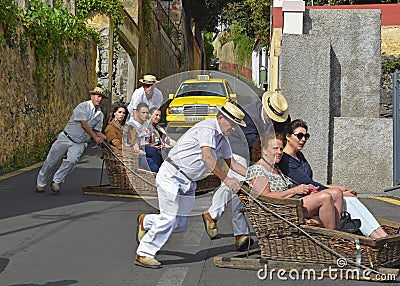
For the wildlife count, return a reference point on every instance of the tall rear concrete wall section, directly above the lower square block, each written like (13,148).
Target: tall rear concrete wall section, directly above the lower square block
(355,40)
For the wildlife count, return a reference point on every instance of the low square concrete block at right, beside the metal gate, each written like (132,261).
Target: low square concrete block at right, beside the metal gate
(363,153)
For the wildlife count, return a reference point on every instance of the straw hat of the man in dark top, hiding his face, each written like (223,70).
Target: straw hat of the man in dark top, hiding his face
(275,105)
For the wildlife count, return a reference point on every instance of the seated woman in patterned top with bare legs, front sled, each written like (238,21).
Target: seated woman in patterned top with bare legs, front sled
(265,179)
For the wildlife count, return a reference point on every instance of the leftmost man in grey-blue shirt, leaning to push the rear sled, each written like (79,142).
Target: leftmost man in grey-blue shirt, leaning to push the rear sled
(86,122)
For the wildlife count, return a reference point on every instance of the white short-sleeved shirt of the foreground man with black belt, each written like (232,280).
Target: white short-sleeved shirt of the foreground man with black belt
(186,153)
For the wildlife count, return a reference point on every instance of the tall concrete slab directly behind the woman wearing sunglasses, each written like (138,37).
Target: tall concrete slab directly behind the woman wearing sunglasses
(305,73)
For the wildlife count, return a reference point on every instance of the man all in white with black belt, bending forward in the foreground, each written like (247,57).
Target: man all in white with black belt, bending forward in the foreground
(194,155)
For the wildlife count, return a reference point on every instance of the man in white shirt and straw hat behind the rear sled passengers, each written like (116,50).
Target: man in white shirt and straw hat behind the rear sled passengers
(147,93)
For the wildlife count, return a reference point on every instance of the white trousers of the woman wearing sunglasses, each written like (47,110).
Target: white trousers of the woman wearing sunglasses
(358,210)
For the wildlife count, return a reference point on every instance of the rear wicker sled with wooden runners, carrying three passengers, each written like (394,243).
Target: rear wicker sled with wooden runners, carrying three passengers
(127,178)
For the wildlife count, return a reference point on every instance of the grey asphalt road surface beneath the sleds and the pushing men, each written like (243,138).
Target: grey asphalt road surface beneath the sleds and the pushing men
(77,239)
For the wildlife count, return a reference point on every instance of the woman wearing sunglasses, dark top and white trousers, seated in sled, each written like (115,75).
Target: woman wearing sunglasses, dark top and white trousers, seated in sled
(295,166)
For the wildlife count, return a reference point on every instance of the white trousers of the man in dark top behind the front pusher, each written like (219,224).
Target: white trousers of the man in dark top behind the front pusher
(222,197)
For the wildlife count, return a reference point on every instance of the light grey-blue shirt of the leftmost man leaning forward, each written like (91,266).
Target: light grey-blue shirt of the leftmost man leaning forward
(87,112)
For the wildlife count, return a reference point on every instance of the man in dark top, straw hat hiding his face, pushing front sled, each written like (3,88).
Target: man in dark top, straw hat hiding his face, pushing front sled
(269,113)
